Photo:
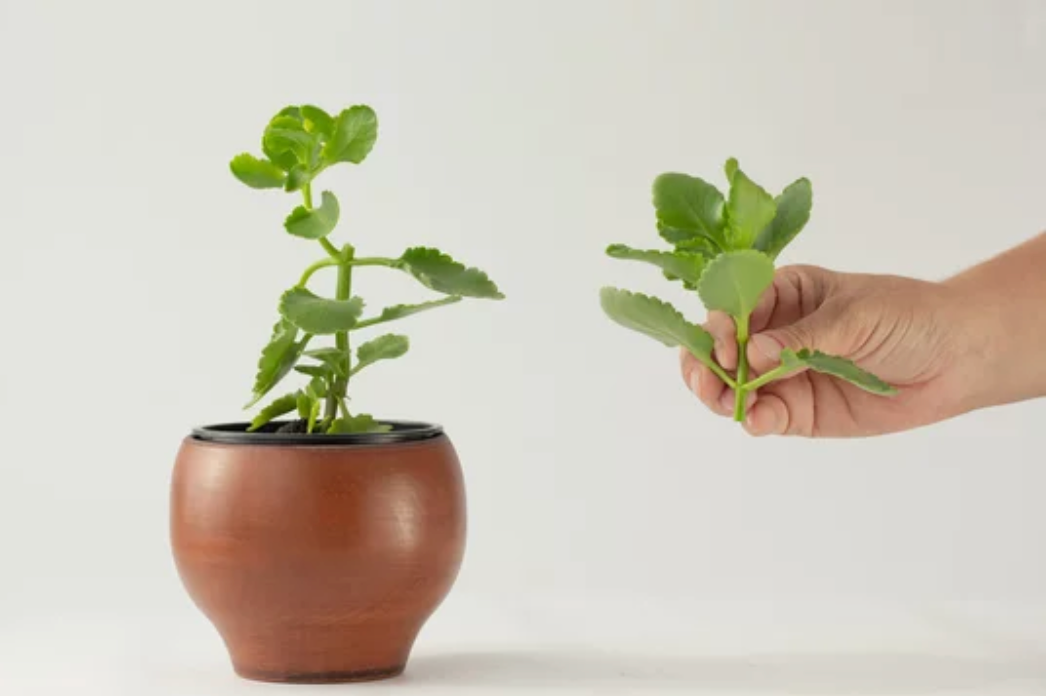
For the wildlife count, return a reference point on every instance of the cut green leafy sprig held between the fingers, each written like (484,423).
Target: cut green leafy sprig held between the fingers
(725,249)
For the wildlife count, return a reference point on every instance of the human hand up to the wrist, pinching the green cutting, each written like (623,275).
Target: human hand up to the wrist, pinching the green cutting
(914,334)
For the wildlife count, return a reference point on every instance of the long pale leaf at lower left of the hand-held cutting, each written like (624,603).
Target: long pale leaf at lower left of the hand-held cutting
(656,319)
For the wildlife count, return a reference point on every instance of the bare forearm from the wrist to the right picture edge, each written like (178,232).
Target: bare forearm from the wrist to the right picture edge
(1005,300)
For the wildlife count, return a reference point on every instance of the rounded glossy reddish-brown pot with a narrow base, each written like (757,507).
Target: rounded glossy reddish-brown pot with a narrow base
(319,558)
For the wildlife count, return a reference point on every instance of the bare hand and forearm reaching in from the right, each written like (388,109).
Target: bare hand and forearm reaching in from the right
(972,342)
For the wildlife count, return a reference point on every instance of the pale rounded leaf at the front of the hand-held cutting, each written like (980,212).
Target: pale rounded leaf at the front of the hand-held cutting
(734,282)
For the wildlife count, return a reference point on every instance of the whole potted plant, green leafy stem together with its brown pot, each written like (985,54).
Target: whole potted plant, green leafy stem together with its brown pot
(320,545)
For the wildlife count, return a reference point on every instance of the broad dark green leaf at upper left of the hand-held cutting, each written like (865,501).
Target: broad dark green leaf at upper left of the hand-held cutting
(691,206)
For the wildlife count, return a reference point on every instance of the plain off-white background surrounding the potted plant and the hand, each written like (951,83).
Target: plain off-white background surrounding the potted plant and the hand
(139,281)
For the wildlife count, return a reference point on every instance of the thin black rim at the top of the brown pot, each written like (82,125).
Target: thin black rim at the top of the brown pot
(236,434)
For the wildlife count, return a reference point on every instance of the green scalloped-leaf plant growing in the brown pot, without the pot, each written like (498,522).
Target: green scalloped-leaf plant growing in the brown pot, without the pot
(300,144)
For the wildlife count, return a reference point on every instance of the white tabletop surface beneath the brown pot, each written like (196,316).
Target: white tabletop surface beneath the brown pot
(587,647)
